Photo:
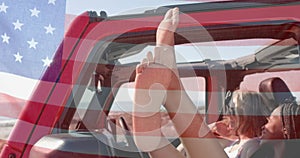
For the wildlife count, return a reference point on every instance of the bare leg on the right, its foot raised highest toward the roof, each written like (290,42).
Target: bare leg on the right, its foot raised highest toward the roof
(188,123)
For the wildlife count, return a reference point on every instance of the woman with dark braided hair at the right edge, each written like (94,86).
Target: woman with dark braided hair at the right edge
(280,136)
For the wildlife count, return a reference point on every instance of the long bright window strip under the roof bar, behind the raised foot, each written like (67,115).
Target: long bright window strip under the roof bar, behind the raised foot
(216,50)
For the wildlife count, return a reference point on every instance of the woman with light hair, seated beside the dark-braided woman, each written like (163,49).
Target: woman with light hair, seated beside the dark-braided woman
(246,116)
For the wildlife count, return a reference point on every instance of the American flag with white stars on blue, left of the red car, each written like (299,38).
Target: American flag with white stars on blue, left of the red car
(30,31)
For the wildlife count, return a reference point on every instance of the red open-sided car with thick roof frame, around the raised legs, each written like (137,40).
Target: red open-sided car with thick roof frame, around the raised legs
(82,107)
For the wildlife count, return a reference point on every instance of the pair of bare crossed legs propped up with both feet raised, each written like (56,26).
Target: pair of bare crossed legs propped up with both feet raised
(153,83)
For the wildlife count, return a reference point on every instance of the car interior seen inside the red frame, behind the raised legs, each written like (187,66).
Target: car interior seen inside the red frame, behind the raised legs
(97,117)
